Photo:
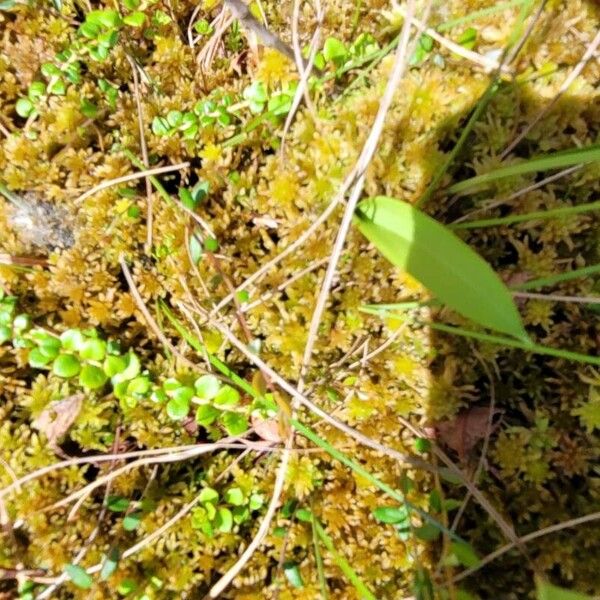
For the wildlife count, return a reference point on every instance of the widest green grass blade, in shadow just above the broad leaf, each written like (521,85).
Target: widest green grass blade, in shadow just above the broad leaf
(557,160)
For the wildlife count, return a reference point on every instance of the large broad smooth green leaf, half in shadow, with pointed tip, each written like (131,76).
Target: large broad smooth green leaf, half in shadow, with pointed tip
(442,262)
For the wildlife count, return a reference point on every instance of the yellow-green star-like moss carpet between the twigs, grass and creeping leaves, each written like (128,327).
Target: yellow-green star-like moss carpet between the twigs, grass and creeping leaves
(542,459)
